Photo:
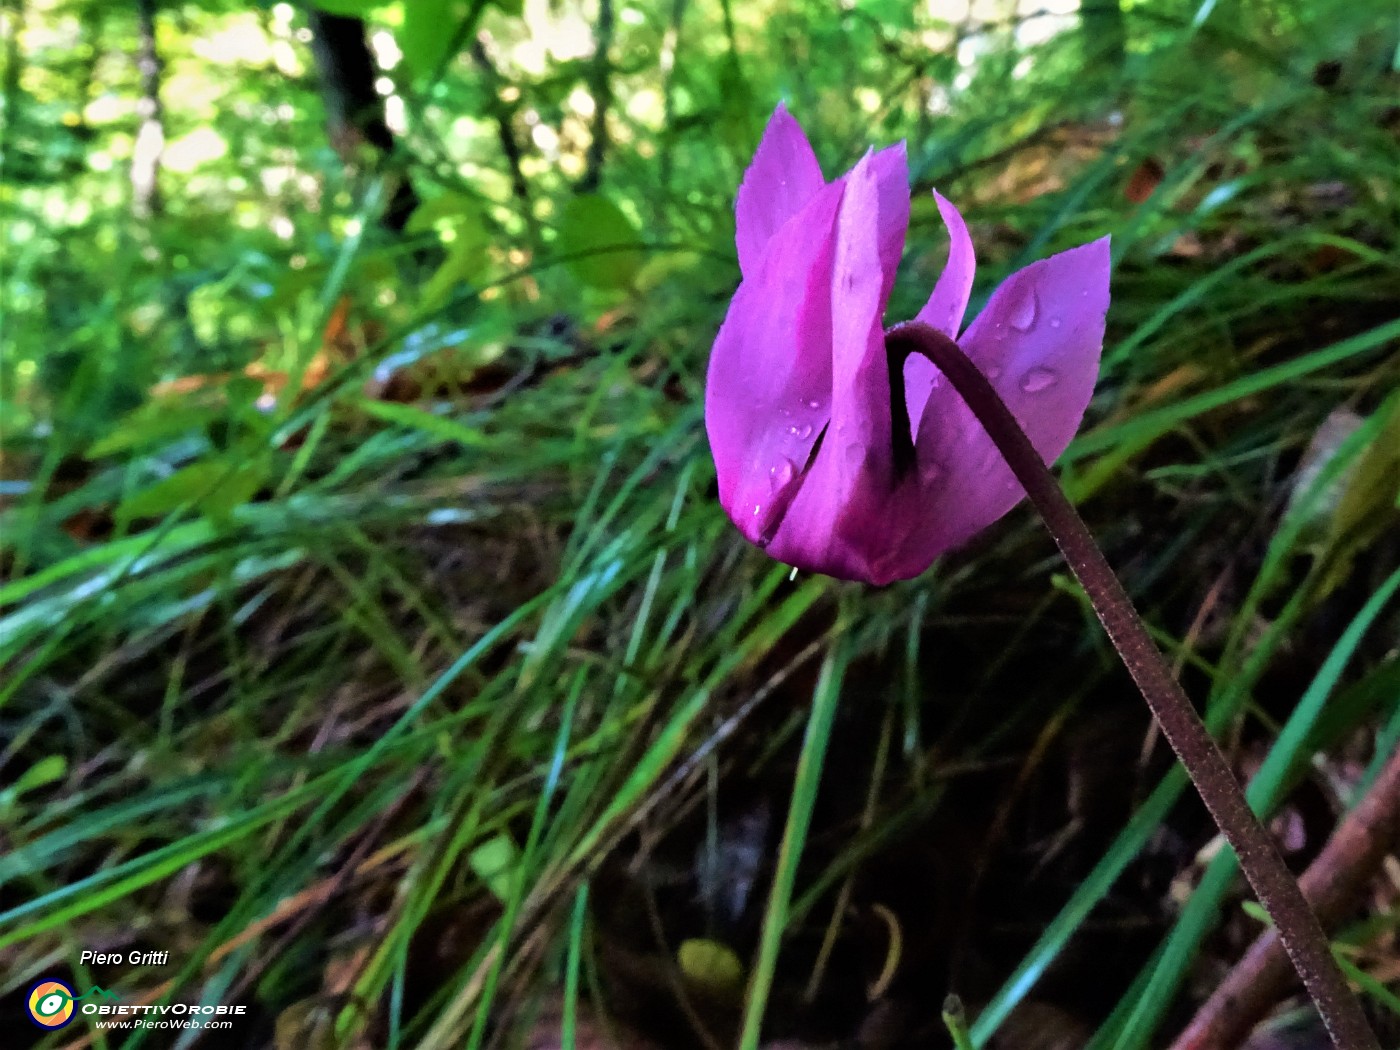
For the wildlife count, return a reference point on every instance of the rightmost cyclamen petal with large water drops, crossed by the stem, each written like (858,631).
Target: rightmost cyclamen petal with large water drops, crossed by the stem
(1038,342)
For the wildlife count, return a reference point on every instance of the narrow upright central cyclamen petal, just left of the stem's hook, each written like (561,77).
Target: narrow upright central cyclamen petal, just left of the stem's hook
(845,521)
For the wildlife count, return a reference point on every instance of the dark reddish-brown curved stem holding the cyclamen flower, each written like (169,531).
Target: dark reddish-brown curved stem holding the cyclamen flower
(1298,929)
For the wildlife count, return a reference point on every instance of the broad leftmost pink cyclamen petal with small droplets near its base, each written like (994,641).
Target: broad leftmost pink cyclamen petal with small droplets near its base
(769,386)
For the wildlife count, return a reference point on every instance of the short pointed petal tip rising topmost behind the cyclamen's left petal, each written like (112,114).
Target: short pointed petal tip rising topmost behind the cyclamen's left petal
(782,180)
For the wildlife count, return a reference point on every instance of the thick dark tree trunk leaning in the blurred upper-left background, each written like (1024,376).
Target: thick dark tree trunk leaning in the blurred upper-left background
(355,110)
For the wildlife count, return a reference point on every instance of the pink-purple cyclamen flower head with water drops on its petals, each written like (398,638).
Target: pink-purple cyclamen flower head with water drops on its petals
(800,404)
